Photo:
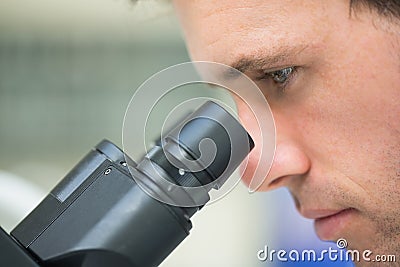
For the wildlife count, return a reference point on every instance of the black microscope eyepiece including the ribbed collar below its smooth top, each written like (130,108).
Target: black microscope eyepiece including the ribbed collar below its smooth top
(199,154)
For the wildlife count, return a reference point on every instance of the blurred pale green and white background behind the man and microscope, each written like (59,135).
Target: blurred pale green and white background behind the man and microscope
(67,72)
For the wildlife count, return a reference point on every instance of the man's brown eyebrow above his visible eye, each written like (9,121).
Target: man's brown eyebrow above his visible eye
(262,61)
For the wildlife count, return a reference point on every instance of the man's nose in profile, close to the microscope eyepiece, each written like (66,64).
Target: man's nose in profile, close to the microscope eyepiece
(290,162)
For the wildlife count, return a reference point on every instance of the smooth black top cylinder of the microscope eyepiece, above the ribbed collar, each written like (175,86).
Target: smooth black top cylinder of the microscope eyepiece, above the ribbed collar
(213,138)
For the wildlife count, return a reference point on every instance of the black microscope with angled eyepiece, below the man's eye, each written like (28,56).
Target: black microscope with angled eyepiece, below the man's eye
(111,211)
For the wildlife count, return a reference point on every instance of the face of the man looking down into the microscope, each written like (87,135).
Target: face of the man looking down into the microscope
(336,105)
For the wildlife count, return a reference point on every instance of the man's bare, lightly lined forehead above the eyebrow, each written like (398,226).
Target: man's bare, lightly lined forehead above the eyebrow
(221,29)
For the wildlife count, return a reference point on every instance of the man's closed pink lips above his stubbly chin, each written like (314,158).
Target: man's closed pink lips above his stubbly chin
(330,223)
